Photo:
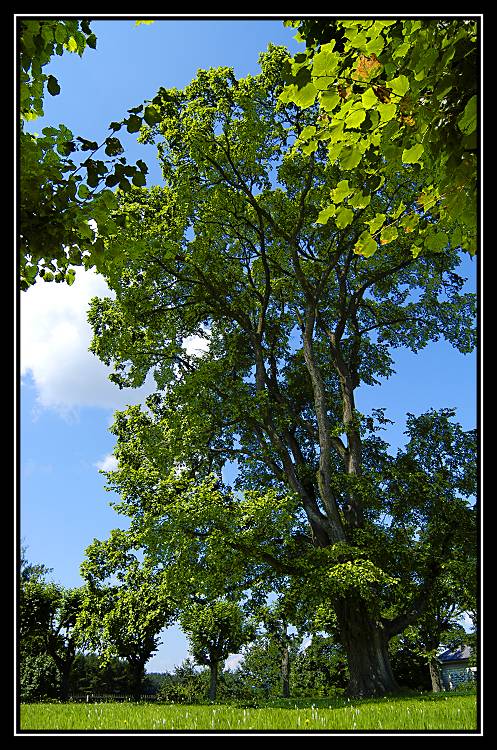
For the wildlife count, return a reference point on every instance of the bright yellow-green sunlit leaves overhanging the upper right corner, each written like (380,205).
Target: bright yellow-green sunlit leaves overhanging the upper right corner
(405,89)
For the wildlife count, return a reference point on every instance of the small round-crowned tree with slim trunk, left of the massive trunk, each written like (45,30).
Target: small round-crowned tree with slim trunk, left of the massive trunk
(215,630)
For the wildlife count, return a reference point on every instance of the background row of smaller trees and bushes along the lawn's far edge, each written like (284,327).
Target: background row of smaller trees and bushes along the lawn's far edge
(59,659)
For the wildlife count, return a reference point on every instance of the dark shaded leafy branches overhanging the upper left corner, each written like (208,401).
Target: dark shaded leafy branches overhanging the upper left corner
(65,182)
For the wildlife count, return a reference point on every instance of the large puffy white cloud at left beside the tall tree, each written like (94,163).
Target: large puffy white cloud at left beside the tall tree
(55,336)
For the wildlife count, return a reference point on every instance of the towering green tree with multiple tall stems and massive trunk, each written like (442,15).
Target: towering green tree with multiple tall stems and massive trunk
(294,312)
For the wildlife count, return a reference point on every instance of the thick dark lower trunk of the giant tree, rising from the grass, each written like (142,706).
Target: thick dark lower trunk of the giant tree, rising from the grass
(366,645)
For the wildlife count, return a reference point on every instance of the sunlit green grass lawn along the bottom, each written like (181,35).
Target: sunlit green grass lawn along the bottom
(443,711)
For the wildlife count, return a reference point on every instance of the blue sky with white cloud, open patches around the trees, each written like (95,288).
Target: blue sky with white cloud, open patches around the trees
(66,401)
